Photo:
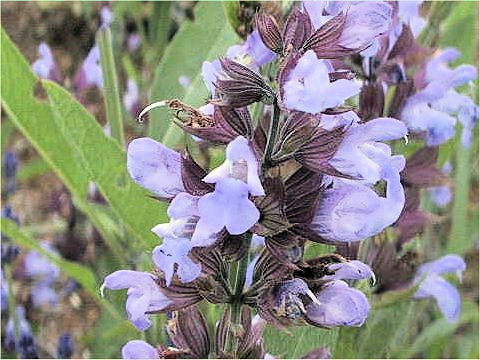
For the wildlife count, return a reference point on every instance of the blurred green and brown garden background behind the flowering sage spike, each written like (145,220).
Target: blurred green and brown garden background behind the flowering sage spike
(72,232)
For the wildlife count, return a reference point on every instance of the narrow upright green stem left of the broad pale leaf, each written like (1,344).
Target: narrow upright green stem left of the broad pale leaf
(113,106)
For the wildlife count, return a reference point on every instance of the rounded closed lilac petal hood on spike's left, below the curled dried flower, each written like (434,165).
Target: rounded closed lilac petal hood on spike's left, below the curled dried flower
(155,167)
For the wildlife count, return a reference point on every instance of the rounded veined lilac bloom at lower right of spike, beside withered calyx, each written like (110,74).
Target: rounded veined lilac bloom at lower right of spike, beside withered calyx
(338,305)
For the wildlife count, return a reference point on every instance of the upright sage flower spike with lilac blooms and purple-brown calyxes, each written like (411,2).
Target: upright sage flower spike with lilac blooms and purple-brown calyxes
(302,164)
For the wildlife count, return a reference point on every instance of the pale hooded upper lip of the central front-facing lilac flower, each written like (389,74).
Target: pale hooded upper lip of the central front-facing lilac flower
(238,154)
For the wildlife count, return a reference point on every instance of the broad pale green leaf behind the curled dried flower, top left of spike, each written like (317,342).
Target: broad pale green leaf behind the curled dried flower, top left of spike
(206,38)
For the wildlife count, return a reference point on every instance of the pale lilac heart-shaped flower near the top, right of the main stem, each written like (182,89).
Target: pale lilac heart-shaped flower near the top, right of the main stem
(308,87)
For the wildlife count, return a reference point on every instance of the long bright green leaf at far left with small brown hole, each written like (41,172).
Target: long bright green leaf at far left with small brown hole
(73,143)
